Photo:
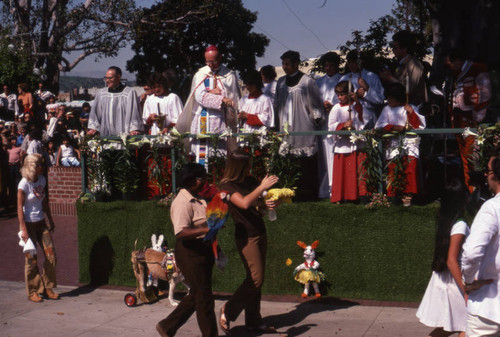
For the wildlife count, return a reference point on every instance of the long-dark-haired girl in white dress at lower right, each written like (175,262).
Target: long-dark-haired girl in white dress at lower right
(444,303)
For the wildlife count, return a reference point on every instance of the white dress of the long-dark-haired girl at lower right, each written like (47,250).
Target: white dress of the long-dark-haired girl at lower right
(443,304)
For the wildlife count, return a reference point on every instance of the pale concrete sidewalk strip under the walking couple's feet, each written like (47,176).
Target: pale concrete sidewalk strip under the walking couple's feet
(87,312)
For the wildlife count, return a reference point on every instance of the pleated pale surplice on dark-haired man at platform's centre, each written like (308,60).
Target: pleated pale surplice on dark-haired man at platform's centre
(301,107)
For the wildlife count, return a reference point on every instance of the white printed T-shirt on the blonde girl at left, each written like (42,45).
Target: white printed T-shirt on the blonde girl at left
(34,192)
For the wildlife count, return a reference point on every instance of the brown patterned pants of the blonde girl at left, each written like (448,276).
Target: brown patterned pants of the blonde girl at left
(36,283)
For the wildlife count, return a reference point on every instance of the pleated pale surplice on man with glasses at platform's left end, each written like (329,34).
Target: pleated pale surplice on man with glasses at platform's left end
(115,113)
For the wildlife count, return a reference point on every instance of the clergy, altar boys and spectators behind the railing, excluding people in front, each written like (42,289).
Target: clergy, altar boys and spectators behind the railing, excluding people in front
(332,166)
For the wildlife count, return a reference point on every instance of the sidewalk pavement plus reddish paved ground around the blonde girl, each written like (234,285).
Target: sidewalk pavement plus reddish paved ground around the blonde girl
(86,311)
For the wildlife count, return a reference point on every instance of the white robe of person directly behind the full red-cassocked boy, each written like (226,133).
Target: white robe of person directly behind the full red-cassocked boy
(326,85)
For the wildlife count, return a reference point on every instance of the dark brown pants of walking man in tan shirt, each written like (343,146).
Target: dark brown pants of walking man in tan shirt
(195,260)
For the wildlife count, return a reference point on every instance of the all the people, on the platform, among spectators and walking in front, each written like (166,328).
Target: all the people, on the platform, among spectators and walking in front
(359,99)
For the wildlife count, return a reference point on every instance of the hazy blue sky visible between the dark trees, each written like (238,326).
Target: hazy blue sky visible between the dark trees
(312,31)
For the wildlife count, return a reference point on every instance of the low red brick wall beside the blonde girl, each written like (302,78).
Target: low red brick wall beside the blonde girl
(65,184)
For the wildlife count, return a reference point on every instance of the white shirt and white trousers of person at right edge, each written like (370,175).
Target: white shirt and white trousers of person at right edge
(481,260)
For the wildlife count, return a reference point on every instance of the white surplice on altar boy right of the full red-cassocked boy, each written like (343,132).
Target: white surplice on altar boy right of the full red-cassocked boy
(398,116)
